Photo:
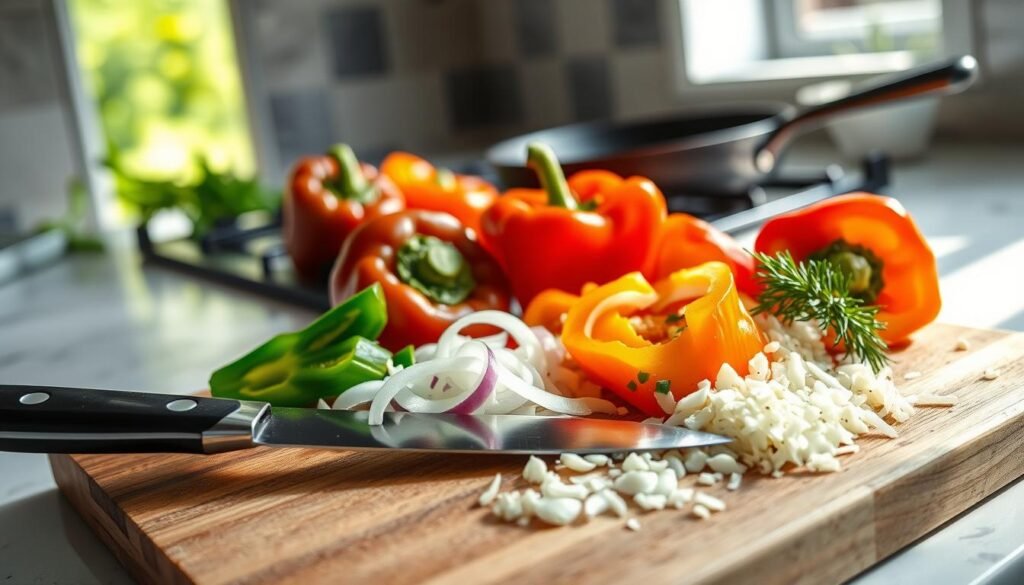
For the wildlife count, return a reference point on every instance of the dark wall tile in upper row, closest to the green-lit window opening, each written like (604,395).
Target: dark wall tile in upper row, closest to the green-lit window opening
(358,43)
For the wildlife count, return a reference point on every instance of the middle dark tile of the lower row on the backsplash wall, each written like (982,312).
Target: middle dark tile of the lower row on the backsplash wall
(484,97)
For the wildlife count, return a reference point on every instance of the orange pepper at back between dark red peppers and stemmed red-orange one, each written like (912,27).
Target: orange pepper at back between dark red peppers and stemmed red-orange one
(426,187)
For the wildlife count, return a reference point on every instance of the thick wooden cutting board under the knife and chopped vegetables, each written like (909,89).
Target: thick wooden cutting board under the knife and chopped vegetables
(314,517)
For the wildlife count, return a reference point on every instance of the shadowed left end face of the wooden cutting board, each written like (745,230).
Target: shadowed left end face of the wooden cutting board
(121,536)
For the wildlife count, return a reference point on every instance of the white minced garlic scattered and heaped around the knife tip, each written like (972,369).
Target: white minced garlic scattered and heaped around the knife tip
(795,409)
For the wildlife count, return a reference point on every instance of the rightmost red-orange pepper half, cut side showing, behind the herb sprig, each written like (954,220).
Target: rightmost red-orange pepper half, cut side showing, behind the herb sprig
(875,240)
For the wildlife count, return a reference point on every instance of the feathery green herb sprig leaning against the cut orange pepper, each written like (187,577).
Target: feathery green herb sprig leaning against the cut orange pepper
(819,290)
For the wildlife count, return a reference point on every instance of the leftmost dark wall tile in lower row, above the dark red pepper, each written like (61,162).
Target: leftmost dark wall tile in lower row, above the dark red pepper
(302,124)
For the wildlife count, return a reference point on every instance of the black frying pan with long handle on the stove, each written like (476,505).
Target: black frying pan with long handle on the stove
(719,150)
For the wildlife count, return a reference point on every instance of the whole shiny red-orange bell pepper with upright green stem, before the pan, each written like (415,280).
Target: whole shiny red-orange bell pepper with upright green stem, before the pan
(594,228)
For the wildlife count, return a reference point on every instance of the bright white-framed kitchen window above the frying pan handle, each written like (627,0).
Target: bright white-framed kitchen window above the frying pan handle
(731,41)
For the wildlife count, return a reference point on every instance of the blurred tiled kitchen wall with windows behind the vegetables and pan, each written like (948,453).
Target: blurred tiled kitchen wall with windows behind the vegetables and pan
(249,86)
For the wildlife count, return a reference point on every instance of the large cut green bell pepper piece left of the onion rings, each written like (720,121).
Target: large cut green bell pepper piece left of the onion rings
(330,356)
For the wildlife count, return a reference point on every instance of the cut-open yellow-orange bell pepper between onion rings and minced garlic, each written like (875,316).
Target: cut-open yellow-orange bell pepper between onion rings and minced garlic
(636,340)
